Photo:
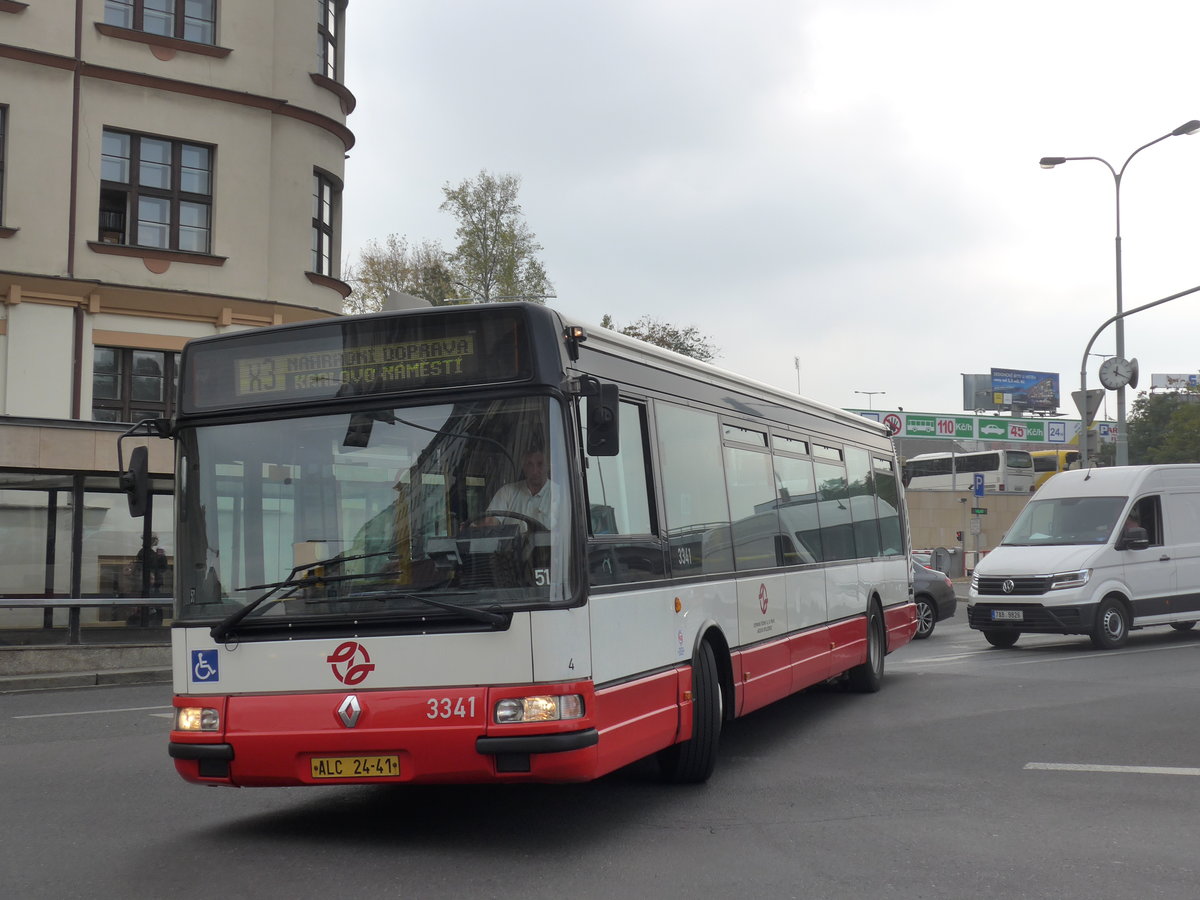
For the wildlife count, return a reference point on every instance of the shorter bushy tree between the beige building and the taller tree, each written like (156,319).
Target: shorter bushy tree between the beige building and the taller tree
(422,271)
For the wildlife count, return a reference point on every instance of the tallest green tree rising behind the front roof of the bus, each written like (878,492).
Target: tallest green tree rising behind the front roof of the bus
(497,253)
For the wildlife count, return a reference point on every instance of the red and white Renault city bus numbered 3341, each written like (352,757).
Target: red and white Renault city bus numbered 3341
(361,601)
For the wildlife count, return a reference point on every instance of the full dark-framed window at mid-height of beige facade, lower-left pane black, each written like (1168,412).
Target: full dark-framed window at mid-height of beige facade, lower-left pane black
(155,193)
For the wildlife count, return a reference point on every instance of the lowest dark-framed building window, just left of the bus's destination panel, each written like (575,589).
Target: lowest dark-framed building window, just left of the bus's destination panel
(129,386)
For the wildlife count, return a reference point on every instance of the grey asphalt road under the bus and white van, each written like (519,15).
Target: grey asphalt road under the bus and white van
(1047,771)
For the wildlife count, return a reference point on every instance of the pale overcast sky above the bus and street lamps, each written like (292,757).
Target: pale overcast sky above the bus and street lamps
(853,183)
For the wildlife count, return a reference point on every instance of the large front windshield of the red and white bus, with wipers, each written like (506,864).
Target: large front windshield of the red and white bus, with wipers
(427,513)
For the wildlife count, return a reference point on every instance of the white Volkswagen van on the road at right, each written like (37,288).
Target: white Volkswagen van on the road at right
(1096,553)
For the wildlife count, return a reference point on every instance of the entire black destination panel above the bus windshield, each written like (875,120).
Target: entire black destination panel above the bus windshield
(349,358)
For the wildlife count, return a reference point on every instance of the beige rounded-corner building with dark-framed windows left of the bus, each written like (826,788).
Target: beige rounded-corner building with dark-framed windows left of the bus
(169,170)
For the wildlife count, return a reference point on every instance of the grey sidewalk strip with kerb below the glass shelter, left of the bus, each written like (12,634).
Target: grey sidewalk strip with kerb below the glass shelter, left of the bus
(40,667)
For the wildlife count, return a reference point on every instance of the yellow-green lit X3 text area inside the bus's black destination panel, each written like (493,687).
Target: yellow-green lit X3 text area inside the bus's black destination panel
(377,368)
